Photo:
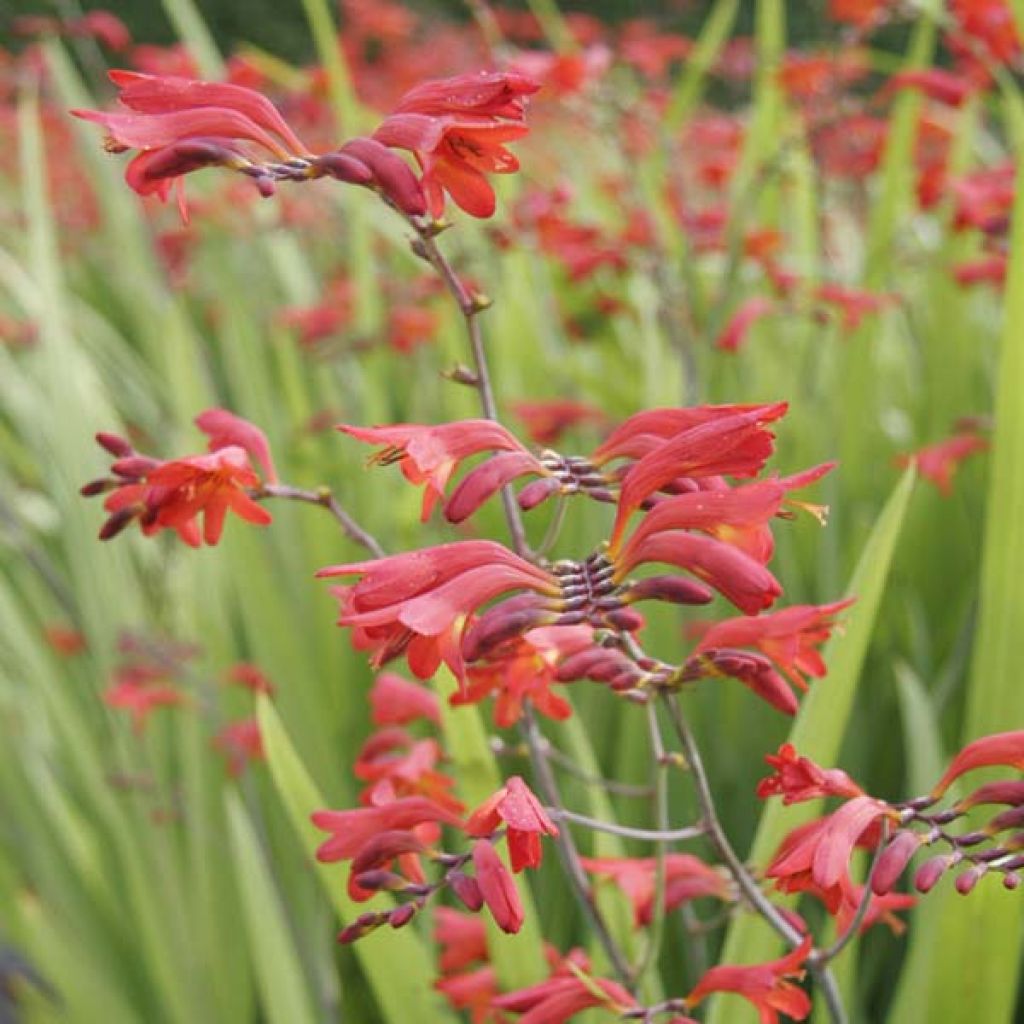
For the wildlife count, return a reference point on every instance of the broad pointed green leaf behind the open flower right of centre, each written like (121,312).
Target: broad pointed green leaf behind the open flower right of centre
(819,732)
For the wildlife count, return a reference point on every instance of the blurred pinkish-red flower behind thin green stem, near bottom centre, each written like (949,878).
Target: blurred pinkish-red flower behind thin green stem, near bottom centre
(687,878)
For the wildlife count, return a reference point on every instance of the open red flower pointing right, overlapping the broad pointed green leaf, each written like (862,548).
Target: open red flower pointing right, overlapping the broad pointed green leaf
(789,637)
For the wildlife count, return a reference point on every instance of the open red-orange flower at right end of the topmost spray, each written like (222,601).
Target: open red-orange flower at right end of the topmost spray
(457,129)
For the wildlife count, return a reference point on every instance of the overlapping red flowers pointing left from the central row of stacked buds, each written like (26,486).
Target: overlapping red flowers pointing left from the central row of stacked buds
(420,603)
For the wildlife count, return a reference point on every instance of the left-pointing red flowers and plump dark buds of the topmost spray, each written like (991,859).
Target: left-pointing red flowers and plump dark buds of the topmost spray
(181,125)
